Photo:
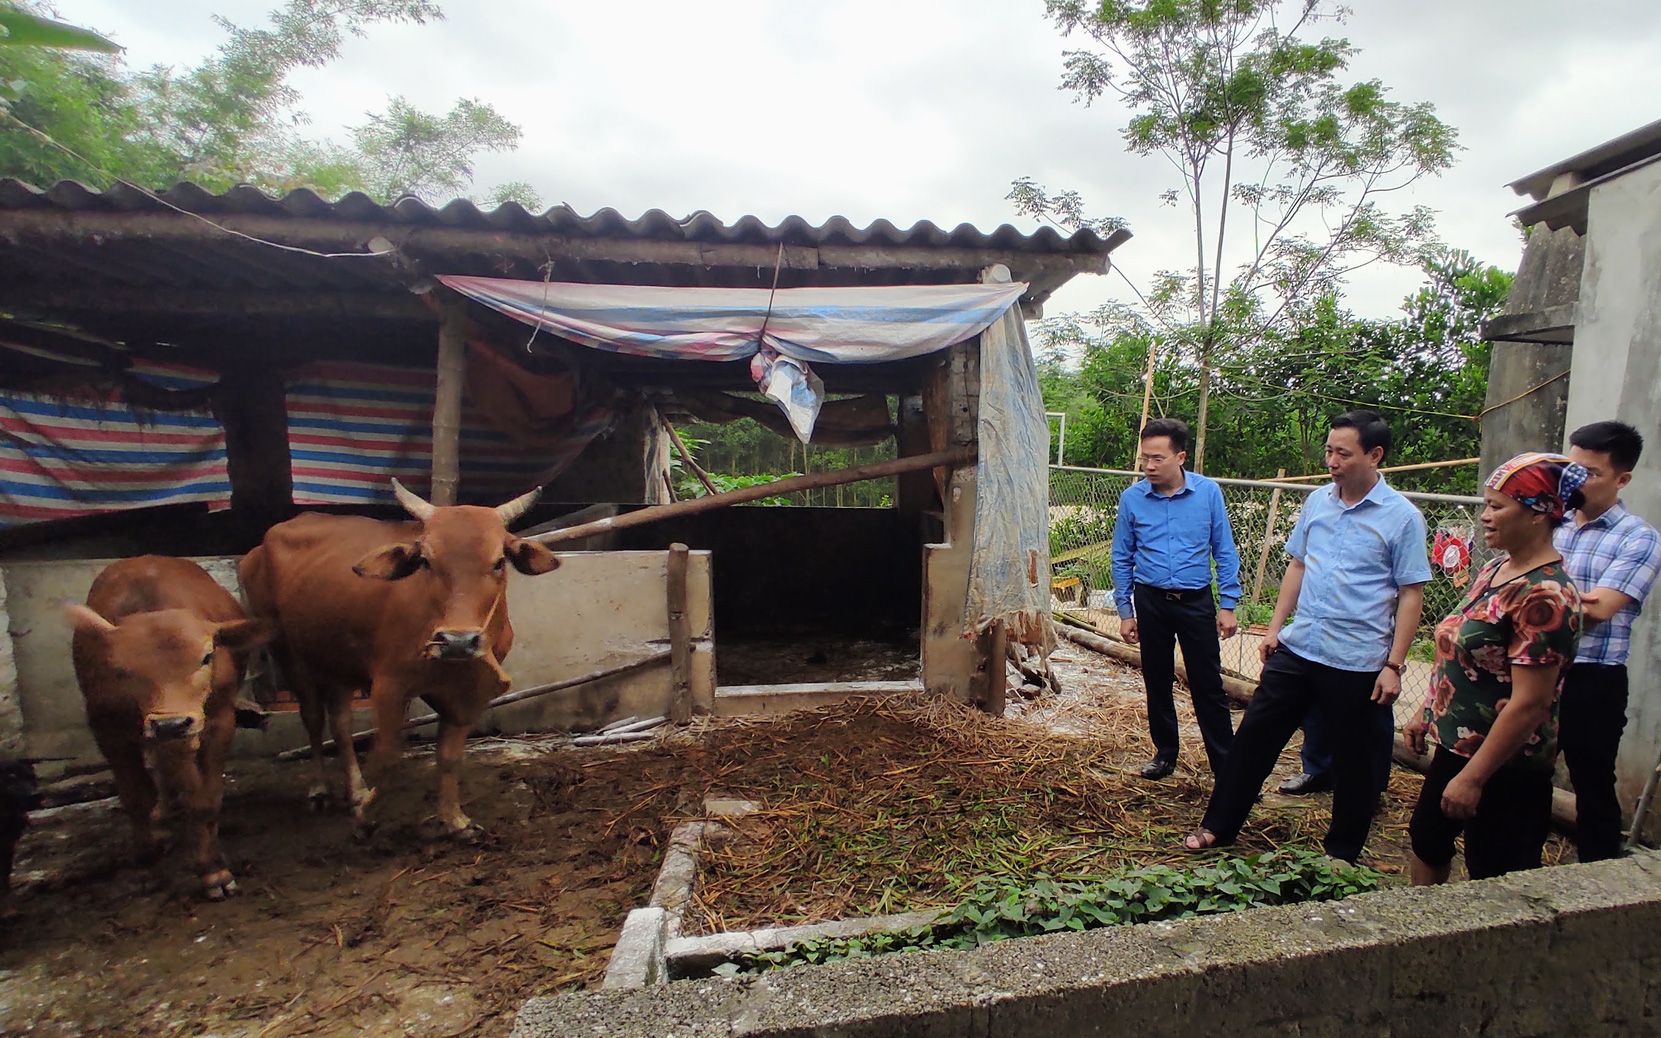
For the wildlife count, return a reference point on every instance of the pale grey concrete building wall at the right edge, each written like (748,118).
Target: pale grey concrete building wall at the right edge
(1619,376)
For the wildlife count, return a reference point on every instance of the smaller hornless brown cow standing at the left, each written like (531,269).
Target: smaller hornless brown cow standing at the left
(160,652)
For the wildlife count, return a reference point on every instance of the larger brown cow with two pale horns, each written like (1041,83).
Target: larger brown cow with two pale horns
(403,610)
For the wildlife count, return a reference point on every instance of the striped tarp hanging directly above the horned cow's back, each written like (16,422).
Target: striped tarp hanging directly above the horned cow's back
(353,428)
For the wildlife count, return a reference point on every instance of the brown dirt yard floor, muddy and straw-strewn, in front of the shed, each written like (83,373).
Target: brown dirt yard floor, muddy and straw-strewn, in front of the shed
(418,936)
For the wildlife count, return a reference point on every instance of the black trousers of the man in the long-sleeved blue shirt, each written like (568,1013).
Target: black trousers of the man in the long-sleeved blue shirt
(1190,622)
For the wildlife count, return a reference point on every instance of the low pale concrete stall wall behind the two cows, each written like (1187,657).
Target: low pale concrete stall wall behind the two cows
(597,610)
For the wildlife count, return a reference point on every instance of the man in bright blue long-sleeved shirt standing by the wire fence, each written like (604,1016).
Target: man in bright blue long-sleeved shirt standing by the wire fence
(1170,529)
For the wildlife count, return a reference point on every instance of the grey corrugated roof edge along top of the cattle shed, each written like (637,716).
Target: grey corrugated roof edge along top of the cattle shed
(561,220)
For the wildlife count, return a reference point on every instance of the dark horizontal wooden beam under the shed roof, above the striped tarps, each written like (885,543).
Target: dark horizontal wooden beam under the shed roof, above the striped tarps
(192,303)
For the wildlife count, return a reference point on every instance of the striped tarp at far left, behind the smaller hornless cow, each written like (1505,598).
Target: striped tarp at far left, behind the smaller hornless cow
(61,459)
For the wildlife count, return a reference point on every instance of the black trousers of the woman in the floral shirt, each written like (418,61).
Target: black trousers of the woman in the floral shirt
(1509,833)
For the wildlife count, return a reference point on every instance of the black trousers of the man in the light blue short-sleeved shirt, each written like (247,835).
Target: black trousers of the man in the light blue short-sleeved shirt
(1286,693)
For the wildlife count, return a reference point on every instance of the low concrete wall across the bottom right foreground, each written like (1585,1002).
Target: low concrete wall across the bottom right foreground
(1574,951)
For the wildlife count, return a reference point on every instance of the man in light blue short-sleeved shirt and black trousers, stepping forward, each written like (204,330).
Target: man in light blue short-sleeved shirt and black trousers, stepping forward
(1358,579)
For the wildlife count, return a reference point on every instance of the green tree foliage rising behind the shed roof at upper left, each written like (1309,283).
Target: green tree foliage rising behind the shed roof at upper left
(235,119)
